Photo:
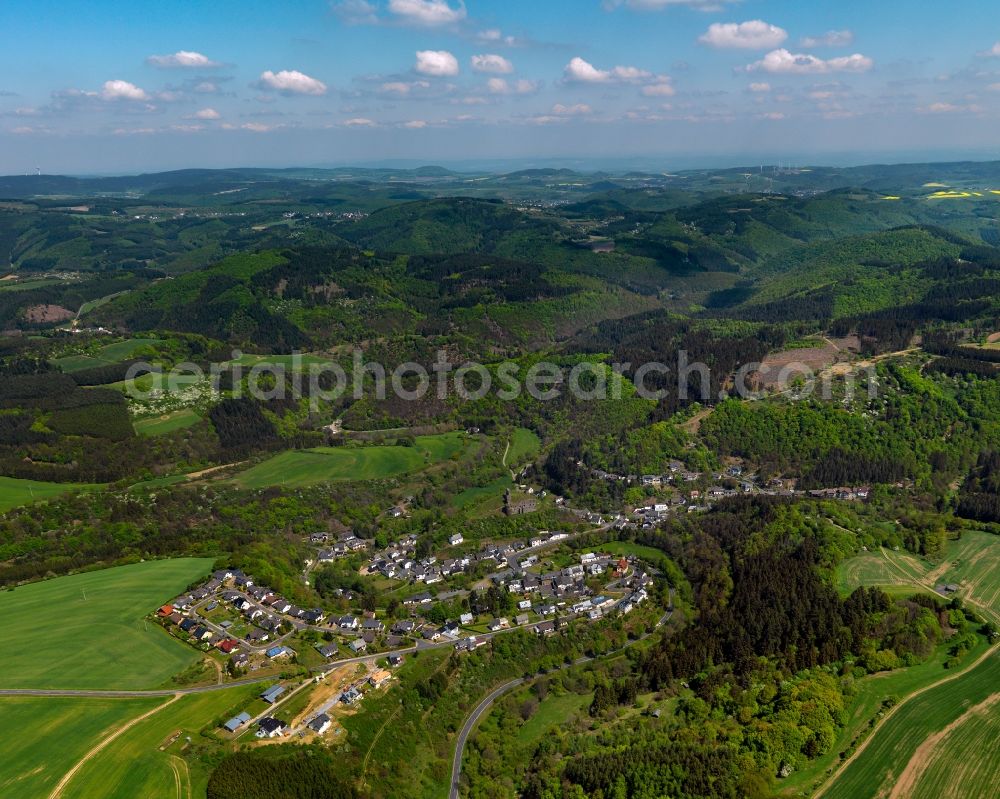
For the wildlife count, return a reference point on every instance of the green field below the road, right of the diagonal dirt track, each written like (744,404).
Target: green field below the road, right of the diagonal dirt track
(134,765)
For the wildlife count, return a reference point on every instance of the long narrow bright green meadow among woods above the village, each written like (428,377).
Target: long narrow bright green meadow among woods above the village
(323,464)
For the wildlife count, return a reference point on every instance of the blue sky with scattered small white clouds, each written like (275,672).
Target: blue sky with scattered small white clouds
(102,86)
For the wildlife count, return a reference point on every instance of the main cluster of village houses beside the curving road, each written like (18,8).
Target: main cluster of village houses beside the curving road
(254,630)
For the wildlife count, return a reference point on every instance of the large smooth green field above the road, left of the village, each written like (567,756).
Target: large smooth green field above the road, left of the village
(87,630)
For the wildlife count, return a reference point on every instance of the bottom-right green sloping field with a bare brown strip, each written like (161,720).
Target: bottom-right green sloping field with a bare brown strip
(920,734)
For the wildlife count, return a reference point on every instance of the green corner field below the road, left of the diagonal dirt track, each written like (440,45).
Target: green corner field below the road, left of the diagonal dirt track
(45,736)
